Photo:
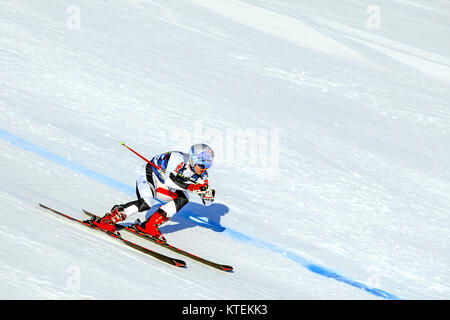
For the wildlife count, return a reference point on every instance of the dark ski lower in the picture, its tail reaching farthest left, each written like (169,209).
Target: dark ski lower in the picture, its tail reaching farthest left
(159,256)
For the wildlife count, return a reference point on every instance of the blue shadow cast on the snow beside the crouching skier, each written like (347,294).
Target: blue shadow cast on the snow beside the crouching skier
(197,215)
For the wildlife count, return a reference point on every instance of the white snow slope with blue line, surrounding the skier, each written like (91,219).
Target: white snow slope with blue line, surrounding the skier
(330,122)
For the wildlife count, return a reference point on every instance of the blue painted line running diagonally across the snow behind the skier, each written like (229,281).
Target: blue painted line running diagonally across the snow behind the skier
(31,147)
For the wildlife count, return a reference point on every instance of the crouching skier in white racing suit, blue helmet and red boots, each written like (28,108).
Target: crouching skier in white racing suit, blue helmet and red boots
(178,173)
